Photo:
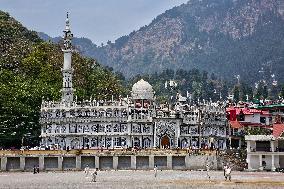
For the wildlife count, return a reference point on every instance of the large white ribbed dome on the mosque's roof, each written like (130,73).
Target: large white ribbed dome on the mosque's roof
(142,90)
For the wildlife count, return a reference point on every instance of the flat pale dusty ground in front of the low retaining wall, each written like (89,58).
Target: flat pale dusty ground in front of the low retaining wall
(141,179)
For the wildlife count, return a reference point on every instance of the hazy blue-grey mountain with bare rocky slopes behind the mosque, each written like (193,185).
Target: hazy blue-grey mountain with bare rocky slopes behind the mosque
(228,37)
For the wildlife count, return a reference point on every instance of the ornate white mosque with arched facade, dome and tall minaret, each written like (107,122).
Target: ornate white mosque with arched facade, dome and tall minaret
(132,122)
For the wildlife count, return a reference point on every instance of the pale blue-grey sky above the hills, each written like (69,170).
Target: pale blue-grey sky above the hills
(98,20)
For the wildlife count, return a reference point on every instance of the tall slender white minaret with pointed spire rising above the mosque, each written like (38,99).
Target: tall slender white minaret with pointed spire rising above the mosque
(67,71)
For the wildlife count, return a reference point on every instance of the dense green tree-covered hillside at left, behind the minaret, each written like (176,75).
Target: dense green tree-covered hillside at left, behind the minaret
(30,70)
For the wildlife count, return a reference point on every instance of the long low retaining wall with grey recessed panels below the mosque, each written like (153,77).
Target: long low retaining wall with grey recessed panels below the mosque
(106,162)
